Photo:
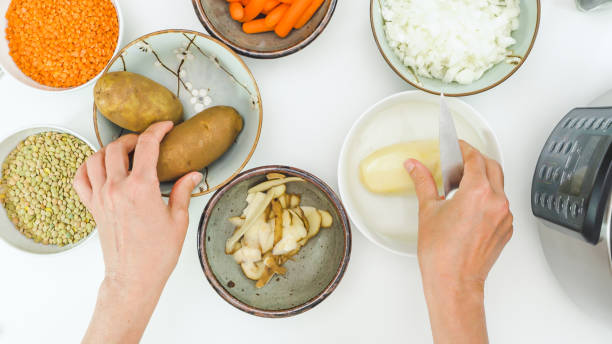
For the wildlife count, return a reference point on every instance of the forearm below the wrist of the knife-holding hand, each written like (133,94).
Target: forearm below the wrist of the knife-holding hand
(457,314)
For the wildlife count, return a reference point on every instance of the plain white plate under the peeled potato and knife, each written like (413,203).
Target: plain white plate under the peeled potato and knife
(392,221)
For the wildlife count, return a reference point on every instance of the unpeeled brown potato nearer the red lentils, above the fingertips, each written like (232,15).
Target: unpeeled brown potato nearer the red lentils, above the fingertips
(134,102)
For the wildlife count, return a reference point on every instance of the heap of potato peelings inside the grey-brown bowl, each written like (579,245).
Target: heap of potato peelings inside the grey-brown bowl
(282,227)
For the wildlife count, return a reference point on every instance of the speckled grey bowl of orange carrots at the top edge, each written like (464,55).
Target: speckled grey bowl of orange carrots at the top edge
(265,28)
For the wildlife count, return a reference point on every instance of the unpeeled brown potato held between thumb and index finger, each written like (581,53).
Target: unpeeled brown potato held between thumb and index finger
(197,142)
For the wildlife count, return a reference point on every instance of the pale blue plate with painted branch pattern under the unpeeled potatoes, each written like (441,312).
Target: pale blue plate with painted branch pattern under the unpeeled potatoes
(202,72)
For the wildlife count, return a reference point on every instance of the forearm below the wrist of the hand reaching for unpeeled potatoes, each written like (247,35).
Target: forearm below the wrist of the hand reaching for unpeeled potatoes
(122,313)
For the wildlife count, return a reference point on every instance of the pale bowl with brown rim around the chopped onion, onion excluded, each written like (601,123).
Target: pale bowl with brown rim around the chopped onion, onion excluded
(525,36)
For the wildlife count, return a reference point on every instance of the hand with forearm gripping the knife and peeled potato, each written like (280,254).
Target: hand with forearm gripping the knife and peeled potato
(459,241)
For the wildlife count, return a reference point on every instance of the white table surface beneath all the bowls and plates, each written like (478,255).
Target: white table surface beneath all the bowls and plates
(322,90)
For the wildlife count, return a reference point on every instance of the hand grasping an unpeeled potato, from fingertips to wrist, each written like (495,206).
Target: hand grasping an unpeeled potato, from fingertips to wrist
(141,236)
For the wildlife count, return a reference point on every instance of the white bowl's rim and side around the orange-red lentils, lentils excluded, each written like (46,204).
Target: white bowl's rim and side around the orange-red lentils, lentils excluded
(7,64)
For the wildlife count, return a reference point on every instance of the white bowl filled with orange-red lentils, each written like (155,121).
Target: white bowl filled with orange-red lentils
(58,45)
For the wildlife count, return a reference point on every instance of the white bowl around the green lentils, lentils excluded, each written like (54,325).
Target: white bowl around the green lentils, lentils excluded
(8,232)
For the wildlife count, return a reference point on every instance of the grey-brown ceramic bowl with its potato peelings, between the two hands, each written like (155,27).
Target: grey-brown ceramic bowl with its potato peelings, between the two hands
(275,241)
